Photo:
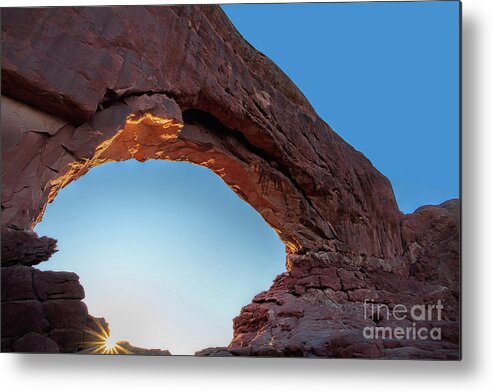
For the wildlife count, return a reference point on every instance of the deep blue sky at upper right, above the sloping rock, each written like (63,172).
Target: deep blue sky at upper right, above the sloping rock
(384,75)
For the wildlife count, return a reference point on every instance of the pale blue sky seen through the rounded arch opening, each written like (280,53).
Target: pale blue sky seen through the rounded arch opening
(166,252)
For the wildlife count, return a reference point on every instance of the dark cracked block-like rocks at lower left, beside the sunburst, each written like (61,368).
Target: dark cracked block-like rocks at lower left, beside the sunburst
(42,311)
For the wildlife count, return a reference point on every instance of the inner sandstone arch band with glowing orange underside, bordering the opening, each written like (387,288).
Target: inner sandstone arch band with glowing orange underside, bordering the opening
(152,127)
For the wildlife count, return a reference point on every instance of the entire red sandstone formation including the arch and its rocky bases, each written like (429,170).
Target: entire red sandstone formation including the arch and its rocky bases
(183,85)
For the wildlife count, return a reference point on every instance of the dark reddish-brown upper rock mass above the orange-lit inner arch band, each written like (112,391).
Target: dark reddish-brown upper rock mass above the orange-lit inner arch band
(194,56)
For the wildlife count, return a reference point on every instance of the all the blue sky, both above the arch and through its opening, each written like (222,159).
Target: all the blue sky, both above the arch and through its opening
(169,254)
